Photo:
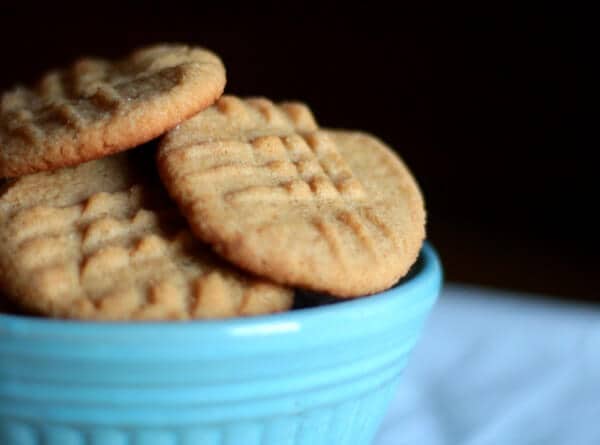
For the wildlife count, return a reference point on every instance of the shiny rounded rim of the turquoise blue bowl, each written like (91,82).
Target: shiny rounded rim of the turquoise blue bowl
(424,279)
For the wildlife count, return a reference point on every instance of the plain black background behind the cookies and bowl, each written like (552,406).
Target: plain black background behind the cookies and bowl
(487,106)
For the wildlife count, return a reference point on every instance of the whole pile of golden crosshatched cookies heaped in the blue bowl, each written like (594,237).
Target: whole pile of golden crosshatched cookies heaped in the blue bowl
(240,202)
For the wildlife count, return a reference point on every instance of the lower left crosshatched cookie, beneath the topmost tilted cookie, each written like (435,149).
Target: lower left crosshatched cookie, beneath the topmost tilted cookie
(103,241)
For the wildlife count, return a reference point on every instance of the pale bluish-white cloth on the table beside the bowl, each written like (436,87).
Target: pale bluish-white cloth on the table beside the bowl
(499,368)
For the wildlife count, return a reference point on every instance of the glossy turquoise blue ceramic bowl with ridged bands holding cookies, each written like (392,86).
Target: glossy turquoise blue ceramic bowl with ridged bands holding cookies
(316,376)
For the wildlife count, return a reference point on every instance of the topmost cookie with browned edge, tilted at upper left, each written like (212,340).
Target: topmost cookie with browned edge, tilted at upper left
(97,107)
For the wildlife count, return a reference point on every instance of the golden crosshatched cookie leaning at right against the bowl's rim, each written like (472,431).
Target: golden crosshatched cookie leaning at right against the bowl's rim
(331,211)
